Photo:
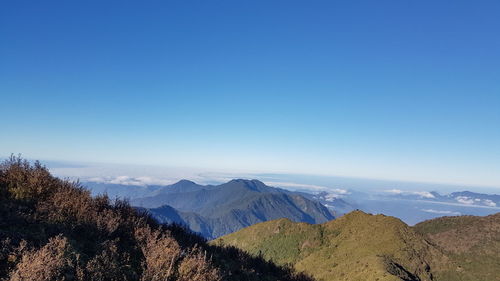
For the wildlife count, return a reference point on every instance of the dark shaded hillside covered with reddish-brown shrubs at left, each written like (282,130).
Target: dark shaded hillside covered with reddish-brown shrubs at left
(51,229)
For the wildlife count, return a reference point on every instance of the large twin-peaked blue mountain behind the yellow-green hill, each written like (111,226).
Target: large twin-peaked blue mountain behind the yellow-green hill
(218,210)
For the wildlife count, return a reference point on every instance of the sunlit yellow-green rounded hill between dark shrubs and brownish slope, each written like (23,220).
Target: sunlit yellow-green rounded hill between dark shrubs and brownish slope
(357,246)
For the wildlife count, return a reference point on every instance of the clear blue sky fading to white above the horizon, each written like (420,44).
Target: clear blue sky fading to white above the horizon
(406,90)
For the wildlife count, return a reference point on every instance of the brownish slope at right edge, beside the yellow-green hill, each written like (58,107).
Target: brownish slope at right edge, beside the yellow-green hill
(472,243)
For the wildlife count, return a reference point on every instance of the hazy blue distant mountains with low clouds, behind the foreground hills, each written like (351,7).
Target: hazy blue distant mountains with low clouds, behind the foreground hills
(214,210)
